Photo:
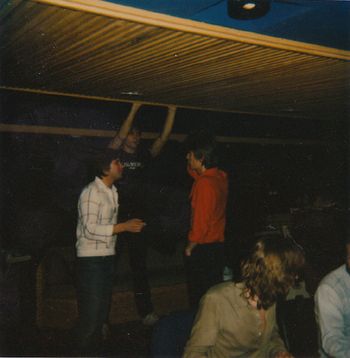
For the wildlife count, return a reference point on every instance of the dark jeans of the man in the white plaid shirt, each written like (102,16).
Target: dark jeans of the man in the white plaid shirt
(94,288)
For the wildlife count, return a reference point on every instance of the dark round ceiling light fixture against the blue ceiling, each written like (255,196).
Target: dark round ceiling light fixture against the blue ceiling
(247,9)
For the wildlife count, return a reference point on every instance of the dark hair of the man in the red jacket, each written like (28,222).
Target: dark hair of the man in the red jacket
(203,146)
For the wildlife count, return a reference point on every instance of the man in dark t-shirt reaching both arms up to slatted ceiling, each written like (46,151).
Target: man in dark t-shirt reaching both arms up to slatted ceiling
(132,200)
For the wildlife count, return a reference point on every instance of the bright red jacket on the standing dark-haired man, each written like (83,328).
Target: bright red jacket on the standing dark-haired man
(208,201)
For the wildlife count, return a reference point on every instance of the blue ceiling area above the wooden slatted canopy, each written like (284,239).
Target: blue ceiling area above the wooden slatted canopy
(321,22)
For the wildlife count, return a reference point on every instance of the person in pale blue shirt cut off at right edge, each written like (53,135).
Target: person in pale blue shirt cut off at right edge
(332,309)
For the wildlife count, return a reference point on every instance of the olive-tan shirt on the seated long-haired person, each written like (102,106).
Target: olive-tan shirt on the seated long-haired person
(227,326)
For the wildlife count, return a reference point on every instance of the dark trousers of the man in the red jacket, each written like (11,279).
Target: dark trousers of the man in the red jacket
(204,269)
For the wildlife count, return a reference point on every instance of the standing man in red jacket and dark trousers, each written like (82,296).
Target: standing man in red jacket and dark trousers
(204,253)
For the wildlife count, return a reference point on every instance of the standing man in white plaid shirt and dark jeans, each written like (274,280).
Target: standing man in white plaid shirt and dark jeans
(97,231)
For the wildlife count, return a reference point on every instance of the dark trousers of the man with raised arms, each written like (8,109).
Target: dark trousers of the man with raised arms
(137,251)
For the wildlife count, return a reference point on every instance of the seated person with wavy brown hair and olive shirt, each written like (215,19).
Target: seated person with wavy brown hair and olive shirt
(238,319)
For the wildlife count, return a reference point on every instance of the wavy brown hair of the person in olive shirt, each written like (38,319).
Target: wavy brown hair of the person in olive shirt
(273,267)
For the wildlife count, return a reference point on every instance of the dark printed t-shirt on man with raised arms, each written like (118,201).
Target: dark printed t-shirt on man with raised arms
(132,186)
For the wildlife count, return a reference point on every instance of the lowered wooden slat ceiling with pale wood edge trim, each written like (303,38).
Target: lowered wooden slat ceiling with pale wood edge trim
(106,51)
